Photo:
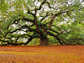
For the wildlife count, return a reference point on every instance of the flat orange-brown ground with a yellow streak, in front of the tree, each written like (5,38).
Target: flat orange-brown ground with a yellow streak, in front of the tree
(42,54)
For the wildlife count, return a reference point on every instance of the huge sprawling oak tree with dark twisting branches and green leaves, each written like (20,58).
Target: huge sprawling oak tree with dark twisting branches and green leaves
(31,19)
